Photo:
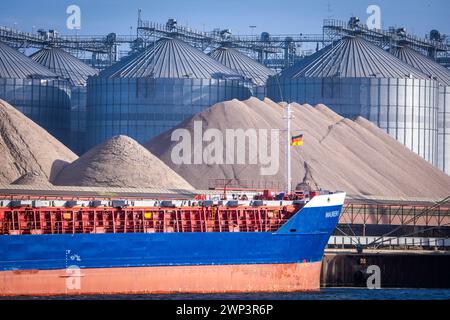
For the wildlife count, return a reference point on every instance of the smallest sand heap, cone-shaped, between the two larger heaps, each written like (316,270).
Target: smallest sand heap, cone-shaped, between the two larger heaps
(120,162)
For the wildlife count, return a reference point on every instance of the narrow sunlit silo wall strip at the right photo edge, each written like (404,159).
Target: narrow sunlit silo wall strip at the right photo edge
(444,129)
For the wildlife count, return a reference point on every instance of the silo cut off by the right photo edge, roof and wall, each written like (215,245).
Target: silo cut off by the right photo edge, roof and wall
(442,75)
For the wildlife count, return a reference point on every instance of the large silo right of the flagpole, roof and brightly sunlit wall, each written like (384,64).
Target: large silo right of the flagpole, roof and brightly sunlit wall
(357,78)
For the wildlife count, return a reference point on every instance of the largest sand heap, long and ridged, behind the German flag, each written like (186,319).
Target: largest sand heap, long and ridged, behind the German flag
(338,153)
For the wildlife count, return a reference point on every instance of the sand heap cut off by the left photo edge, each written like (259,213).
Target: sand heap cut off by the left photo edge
(26,147)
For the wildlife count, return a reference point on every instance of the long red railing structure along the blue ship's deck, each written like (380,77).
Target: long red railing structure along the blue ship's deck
(14,223)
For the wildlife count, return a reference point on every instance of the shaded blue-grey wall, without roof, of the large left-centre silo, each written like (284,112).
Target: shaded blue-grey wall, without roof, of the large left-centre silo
(144,108)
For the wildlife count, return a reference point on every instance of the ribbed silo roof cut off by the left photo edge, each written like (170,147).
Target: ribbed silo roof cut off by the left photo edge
(15,65)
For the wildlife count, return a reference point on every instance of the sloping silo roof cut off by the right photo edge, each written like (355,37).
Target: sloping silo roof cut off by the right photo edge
(424,64)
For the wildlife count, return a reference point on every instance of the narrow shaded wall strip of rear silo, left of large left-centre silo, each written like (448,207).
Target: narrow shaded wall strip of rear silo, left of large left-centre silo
(78,119)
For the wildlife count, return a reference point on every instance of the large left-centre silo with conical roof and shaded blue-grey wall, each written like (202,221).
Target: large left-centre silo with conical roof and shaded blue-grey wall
(154,90)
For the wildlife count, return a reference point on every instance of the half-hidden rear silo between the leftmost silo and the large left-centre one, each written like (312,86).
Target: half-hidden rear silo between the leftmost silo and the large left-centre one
(76,72)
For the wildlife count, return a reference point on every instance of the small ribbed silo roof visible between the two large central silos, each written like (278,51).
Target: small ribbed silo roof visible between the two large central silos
(242,64)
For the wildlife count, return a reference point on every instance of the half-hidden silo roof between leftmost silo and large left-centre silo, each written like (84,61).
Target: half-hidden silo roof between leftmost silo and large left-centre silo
(65,65)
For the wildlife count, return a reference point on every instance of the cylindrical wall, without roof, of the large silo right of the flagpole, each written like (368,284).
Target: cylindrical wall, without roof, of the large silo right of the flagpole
(404,108)
